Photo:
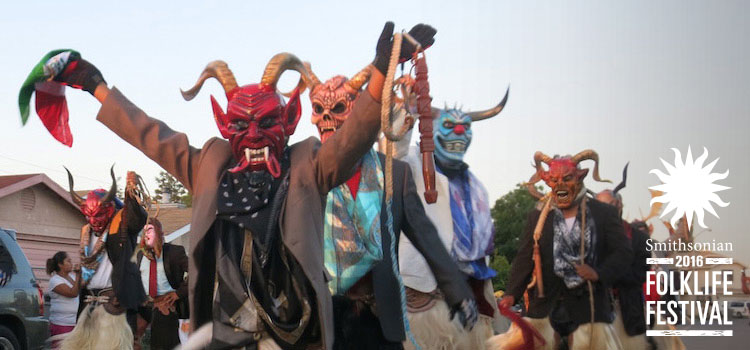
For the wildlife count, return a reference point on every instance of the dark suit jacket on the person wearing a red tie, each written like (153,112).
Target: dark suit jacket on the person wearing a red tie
(175,266)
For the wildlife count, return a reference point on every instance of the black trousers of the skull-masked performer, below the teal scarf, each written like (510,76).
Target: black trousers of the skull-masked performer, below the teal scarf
(357,327)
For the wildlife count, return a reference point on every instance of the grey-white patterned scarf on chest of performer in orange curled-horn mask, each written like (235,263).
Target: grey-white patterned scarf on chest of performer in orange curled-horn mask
(567,246)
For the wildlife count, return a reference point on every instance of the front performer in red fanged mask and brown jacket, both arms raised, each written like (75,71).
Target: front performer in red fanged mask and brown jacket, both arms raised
(257,275)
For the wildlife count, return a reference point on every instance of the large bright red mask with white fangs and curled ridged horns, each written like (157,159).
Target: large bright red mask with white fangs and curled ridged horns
(257,123)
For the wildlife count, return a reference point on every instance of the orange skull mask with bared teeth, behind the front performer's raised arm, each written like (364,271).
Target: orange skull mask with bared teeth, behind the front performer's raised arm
(332,101)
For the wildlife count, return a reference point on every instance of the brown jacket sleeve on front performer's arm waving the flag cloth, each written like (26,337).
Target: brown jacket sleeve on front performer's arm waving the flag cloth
(153,137)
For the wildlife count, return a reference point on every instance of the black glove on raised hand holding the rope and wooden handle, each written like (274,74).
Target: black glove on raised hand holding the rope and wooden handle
(422,33)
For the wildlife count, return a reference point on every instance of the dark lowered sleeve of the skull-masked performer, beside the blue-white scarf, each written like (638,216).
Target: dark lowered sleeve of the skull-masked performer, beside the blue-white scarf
(422,233)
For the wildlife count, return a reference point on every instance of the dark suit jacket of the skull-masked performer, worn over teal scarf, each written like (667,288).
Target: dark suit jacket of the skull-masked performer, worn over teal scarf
(409,217)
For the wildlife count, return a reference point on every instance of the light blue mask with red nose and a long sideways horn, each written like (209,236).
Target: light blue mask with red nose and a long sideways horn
(453,134)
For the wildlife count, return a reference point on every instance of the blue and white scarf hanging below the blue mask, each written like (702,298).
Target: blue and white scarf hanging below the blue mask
(472,225)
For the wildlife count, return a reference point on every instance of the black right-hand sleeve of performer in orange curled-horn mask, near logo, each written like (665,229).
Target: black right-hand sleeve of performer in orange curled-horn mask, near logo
(616,248)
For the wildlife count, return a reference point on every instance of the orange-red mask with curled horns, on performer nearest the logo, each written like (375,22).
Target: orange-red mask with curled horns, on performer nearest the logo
(564,176)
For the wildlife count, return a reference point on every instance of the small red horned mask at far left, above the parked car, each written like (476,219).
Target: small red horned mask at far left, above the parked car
(99,205)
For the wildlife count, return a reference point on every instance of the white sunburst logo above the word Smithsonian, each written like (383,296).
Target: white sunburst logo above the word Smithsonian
(688,187)
